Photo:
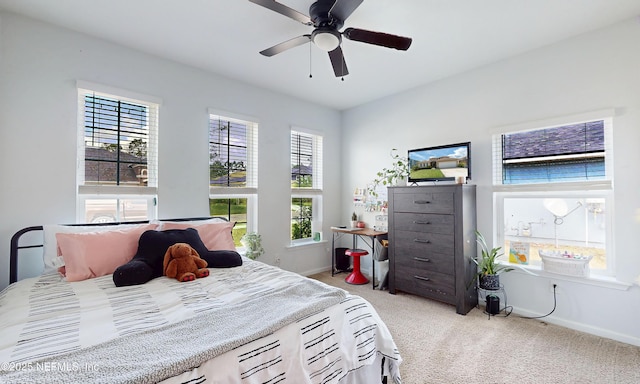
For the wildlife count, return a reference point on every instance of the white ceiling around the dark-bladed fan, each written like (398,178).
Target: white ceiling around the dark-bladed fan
(225,36)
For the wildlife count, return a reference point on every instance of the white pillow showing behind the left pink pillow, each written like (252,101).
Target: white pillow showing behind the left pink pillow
(50,245)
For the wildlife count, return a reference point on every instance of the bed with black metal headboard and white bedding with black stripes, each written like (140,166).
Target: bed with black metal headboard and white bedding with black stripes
(252,323)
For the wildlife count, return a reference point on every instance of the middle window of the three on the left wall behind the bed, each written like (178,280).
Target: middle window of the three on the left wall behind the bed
(233,172)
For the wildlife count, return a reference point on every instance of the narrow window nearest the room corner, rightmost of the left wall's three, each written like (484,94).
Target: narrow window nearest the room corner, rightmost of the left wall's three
(306,185)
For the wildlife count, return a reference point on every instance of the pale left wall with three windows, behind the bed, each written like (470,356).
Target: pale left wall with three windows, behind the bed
(39,65)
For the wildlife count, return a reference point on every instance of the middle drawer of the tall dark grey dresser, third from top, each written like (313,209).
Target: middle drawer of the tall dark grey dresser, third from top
(421,243)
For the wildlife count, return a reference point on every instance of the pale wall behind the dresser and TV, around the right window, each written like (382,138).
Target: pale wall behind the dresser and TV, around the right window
(586,73)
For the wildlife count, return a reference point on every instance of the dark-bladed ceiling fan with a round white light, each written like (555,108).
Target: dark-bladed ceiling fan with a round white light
(327,17)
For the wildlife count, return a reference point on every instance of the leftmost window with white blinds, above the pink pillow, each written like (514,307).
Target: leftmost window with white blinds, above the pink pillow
(117,153)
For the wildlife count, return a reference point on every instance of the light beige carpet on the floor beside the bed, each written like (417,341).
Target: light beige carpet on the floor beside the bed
(439,346)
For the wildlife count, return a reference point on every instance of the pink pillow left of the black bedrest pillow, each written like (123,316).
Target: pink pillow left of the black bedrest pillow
(92,254)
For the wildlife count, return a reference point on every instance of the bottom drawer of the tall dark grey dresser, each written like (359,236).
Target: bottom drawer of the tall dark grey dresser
(432,284)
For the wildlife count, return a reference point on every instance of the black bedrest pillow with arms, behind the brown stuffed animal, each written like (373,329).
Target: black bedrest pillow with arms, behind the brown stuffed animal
(147,262)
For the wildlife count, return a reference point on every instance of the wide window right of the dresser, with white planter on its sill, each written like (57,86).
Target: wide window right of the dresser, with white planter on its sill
(553,191)
